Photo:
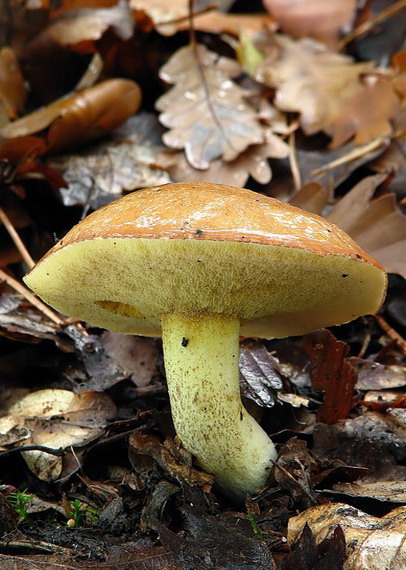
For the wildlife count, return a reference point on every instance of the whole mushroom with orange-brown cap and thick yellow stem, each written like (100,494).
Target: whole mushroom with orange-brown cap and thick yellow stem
(202,264)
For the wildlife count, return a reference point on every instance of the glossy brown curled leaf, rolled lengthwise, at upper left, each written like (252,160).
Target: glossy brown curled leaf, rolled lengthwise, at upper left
(80,117)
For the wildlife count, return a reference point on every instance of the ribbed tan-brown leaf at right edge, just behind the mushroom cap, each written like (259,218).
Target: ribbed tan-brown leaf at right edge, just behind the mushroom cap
(376,224)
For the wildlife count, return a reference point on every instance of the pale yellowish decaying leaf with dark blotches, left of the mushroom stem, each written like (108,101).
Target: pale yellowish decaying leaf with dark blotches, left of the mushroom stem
(56,419)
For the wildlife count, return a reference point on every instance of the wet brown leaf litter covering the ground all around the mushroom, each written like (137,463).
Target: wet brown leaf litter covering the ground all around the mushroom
(100,434)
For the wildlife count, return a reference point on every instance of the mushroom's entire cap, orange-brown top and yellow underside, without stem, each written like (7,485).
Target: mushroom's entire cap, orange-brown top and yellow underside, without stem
(197,248)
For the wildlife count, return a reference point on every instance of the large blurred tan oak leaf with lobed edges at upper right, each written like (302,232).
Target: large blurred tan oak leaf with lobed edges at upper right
(330,91)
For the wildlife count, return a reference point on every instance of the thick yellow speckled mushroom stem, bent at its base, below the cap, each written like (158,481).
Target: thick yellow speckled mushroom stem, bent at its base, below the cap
(201,361)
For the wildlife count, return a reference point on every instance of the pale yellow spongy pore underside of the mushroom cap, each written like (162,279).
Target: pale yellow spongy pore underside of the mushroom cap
(127,284)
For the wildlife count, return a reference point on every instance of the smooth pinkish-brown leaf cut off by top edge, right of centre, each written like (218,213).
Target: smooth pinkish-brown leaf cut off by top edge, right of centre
(313,18)
